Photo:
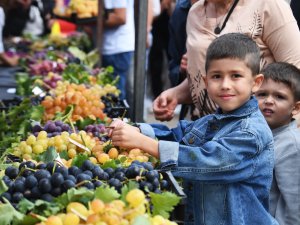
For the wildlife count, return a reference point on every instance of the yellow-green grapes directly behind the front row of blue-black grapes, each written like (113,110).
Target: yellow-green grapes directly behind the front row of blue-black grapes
(72,143)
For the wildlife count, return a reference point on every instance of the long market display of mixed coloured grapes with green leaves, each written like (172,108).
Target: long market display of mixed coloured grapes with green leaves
(58,165)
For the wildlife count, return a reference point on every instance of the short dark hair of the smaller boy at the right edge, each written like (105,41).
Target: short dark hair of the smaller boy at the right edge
(285,73)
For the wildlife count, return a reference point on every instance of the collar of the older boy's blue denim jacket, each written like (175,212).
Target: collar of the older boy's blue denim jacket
(249,107)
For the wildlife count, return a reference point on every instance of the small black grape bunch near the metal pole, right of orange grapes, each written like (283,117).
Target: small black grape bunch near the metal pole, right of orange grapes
(114,106)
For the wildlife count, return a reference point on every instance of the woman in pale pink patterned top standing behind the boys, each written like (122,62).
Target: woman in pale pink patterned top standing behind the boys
(269,22)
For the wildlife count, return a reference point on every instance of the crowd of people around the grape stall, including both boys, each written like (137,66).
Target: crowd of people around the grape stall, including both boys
(237,64)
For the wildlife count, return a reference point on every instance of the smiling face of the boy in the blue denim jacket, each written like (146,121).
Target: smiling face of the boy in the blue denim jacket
(230,83)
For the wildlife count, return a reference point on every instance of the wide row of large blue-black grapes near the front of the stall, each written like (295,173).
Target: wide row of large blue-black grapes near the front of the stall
(48,180)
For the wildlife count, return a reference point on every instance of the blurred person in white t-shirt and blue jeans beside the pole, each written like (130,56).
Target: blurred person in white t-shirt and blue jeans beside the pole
(119,39)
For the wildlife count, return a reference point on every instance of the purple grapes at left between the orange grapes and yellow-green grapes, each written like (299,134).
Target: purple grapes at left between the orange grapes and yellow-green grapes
(53,128)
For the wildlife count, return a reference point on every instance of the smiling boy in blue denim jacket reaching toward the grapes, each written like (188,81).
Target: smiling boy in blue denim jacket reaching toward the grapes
(226,158)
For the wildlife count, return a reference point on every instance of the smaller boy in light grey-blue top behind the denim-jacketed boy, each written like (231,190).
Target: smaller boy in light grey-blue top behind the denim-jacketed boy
(279,101)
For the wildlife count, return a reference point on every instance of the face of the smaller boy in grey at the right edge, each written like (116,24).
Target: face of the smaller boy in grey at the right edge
(276,102)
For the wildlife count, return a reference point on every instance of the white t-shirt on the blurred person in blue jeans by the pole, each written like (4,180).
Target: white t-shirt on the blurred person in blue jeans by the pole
(122,38)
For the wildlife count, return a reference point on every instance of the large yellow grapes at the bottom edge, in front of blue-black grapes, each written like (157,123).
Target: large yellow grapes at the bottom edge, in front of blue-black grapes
(111,213)
